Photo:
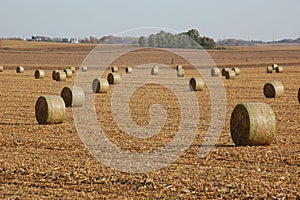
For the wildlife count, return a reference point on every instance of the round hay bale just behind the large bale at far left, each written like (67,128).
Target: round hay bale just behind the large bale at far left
(73,96)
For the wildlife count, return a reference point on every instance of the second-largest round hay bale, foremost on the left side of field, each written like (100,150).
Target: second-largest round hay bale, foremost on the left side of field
(50,110)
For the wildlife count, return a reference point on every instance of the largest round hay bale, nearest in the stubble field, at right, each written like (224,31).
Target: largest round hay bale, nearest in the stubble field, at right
(252,124)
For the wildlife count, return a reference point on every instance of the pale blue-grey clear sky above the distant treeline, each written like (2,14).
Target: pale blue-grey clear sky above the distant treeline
(220,19)
